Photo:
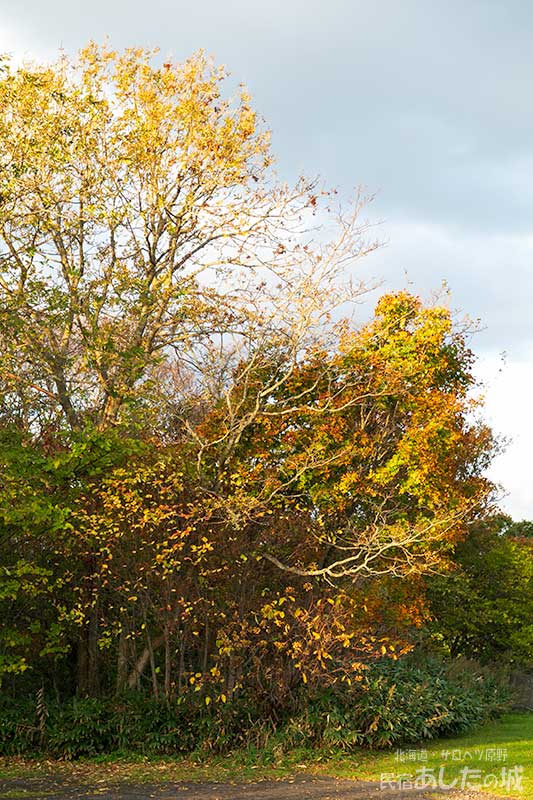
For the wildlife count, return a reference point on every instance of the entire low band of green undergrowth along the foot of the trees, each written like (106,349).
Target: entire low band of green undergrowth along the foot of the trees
(395,702)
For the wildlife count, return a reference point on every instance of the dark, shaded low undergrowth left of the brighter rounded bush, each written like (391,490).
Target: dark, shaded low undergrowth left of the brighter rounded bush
(135,724)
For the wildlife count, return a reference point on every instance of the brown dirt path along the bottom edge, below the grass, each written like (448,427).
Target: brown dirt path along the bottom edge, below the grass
(300,788)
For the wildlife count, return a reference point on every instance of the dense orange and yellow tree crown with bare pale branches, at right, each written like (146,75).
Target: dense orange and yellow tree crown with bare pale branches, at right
(369,440)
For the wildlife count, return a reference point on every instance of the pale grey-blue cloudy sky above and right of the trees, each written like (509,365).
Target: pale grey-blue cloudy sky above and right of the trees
(425,102)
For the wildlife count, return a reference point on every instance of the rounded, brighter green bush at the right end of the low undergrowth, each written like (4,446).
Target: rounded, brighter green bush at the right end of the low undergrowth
(400,702)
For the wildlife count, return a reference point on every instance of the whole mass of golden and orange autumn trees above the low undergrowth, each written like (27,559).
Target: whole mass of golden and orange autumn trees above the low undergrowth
(212,482)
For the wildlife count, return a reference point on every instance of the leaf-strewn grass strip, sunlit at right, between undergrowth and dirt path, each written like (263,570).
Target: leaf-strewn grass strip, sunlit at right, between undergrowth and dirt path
(493,750)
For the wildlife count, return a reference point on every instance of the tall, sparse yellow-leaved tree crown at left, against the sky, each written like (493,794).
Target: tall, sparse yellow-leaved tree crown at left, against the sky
(138,213)
